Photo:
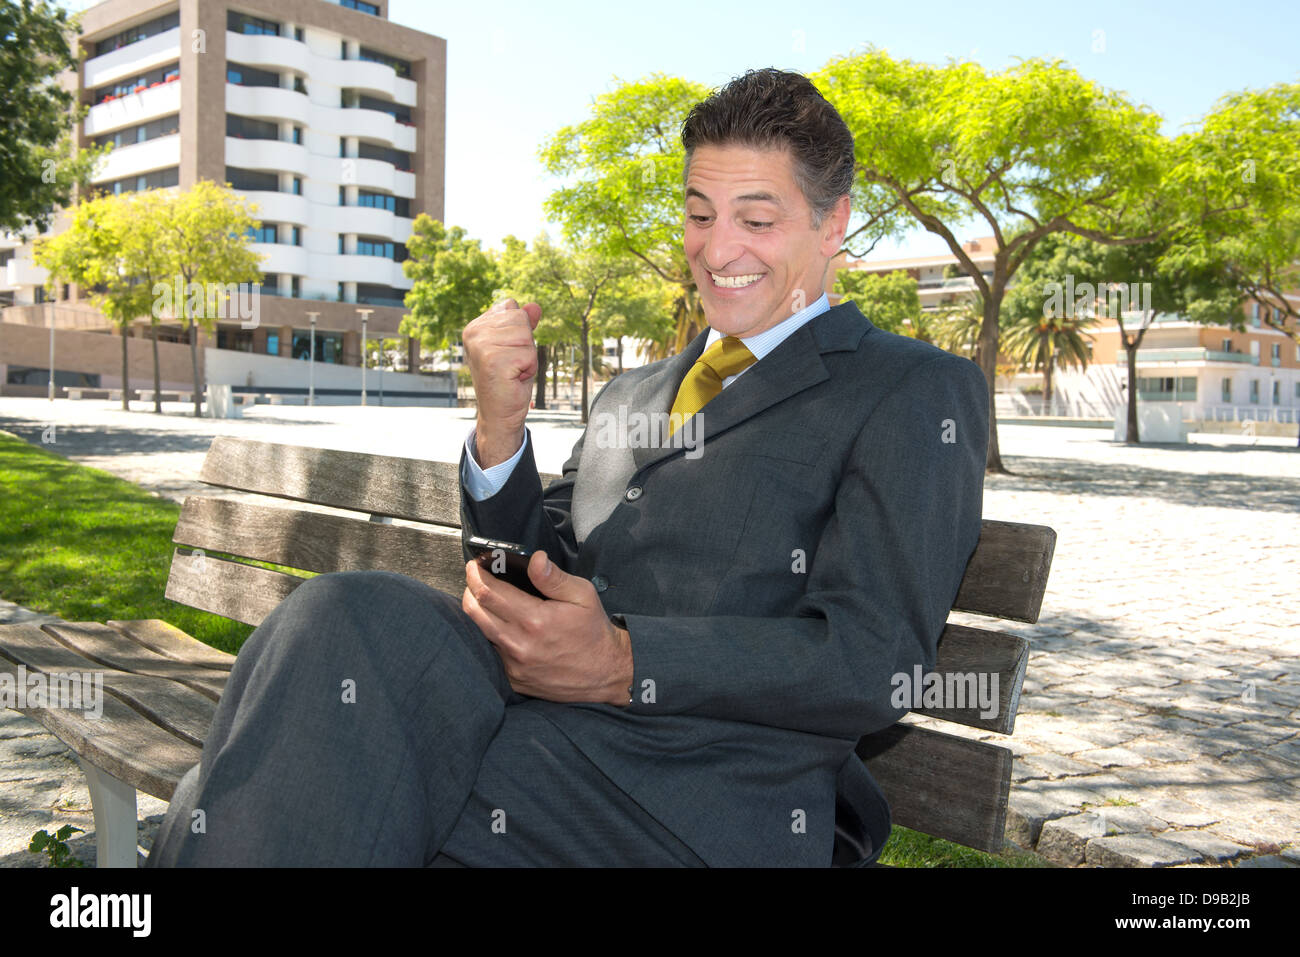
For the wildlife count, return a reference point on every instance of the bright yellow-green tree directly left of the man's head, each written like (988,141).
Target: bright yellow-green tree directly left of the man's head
(625,196)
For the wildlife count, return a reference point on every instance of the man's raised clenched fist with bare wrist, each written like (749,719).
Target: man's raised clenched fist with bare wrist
(502,360)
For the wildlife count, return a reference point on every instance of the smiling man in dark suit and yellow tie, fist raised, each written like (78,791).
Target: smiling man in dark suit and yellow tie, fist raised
(727,595)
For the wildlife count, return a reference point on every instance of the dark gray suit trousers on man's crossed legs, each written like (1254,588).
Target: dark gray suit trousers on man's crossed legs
(369,722)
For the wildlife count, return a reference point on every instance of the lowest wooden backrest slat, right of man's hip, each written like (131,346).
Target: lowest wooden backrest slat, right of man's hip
(941,785)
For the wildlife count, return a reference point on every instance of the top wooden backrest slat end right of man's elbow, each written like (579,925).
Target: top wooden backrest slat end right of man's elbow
(1008,574)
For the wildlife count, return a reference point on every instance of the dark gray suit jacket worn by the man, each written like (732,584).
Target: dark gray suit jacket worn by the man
(772,584)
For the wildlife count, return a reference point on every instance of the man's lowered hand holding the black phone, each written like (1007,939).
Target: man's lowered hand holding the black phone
(562,649)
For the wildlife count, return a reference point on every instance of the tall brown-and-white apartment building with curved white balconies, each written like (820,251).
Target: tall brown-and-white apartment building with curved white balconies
(327,116)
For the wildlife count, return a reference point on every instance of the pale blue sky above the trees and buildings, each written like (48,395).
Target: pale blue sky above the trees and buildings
(519,71)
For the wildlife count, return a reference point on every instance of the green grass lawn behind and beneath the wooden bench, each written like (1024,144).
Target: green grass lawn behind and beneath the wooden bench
(89,547)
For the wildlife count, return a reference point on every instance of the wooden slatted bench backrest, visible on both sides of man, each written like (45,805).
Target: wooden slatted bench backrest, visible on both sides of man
(944,785)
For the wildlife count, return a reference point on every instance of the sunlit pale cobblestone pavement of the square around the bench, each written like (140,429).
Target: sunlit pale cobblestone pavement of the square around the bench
(1159,724)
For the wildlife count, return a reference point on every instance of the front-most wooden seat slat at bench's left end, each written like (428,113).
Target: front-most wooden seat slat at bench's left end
(122,742)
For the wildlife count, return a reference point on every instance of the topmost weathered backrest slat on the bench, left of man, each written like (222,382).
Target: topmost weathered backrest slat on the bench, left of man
(400,488)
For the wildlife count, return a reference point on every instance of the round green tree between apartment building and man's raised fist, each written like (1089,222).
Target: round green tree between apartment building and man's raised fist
(454,283)
